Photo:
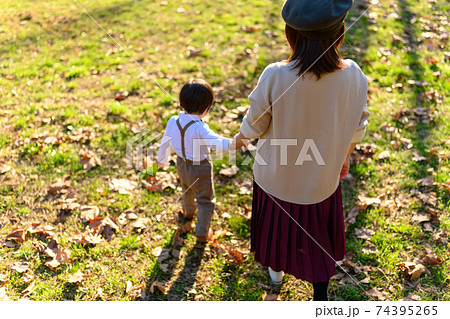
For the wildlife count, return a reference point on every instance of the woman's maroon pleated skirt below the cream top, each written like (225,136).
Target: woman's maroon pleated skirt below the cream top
(302,240)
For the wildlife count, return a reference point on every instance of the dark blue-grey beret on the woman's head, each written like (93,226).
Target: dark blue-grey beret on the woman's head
(316,19)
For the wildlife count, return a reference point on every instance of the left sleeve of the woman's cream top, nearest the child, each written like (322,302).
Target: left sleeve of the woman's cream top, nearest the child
(258,117)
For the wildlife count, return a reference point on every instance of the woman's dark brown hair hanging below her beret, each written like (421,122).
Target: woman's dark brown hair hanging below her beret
(305,52)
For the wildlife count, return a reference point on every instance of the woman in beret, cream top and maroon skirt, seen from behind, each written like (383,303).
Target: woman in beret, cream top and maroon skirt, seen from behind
(308,113)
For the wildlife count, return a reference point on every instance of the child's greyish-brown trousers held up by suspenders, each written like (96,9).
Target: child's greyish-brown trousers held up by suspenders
(197,183)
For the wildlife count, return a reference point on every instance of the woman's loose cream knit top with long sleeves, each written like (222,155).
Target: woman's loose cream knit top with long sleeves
(305,127)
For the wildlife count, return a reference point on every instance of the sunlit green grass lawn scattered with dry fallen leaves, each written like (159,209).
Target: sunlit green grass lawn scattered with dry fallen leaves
(59,76)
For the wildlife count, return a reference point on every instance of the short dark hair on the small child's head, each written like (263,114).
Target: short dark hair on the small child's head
(196,96)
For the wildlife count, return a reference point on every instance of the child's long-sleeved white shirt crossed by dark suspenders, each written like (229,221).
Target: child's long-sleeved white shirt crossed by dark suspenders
(199,139)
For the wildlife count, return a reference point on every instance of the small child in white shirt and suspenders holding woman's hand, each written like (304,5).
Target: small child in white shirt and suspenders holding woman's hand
(192,140)
